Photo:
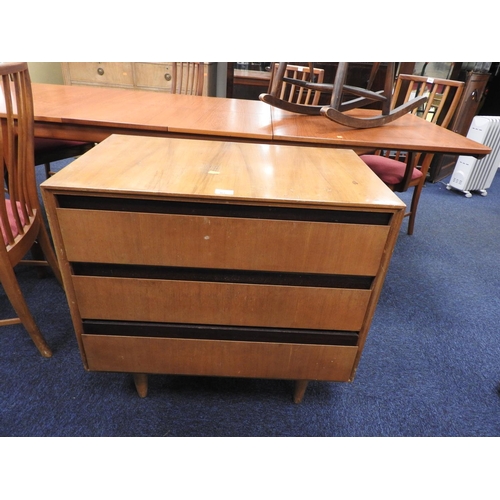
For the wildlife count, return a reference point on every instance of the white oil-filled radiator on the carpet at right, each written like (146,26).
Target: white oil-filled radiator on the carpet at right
(471,174)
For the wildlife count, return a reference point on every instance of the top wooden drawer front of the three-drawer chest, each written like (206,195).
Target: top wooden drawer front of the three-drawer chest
(209,241)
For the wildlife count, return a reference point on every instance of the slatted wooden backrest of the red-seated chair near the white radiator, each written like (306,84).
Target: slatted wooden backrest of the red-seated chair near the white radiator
(443,96)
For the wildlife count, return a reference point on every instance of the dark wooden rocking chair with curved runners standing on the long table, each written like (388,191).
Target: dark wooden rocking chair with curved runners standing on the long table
(359,97)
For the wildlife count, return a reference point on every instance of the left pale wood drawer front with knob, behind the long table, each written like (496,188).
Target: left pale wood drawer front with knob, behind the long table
(102,73)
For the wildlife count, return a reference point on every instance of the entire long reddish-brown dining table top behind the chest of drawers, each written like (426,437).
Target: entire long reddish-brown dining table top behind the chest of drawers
(93,113)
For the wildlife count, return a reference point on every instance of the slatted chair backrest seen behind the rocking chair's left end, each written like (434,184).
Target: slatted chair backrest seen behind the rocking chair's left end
(299,95)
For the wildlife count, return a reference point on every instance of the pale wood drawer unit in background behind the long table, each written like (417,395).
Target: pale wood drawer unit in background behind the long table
(131,75)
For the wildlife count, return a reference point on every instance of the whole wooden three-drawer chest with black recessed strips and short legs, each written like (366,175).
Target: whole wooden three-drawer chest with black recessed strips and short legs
(221,258)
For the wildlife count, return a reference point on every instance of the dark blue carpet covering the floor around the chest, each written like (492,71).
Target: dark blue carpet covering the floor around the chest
(431,365)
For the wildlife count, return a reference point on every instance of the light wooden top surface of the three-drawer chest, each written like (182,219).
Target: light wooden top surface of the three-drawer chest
(153,167)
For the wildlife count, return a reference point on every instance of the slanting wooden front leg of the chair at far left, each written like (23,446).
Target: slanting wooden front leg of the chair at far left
(14,293)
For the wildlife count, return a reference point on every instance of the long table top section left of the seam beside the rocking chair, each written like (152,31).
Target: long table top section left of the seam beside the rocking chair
(152,112)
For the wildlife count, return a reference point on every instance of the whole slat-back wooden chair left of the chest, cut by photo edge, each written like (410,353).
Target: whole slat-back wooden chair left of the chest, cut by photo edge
(21,222)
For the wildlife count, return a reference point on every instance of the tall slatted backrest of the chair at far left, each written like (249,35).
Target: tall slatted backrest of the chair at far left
(19,204)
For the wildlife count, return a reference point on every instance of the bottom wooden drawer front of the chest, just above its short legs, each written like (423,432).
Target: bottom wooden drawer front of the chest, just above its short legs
(219,358)
